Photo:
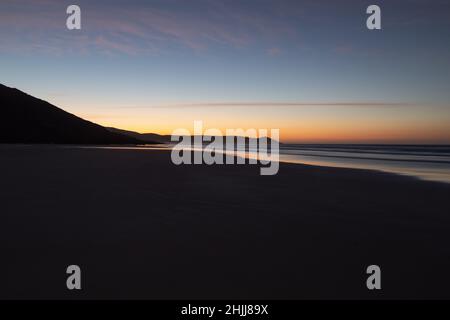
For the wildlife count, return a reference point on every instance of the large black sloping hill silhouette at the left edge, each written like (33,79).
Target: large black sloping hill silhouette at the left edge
(26,119)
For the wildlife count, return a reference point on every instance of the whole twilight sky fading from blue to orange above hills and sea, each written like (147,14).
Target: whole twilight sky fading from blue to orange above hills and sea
(309,68)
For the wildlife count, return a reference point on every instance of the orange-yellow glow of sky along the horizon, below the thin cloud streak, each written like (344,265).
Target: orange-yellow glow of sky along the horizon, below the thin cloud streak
(305,125)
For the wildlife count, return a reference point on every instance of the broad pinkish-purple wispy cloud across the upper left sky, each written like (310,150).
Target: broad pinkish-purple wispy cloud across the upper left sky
(135,29)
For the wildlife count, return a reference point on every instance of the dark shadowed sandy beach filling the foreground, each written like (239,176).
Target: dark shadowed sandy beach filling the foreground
(140,227)
